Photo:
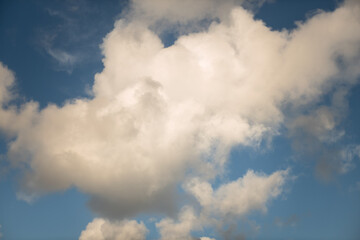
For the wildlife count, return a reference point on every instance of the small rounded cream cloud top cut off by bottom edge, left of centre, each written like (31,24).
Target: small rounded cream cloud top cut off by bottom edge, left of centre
(102,229)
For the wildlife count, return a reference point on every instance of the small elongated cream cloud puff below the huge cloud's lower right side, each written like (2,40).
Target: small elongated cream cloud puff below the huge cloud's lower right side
(238,198)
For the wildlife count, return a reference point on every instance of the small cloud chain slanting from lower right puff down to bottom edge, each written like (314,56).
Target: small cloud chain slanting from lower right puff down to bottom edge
(230,201)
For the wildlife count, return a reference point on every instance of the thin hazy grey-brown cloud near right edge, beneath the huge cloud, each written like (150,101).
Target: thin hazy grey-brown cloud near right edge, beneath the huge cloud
(316,136)
